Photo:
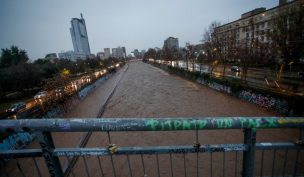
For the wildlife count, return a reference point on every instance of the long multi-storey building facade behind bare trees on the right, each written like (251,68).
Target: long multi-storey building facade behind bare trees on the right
(254,27)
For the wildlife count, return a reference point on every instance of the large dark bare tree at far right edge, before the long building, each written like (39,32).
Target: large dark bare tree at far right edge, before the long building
(288,31)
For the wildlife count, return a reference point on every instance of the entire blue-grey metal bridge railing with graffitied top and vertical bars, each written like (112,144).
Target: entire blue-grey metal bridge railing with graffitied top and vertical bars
(107,161)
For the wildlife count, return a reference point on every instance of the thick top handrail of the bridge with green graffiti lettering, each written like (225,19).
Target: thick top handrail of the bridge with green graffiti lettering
(148,124)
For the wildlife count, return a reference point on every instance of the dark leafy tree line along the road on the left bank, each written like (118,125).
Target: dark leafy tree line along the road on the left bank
(19,74)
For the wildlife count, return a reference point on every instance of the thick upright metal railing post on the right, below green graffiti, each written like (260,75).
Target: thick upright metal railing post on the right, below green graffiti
(248,156)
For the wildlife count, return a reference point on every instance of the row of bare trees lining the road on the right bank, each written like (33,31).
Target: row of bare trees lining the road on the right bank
(284,45)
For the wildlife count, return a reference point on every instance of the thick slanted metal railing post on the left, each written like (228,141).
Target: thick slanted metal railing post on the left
(47,146)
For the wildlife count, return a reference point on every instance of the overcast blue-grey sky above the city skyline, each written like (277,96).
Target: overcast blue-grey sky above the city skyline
(42,26)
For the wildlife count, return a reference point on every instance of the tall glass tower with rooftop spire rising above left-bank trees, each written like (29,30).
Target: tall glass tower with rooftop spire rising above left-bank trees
(80,36)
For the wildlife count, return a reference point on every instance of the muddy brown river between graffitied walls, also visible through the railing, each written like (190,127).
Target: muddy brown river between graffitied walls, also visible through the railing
(146,91)
